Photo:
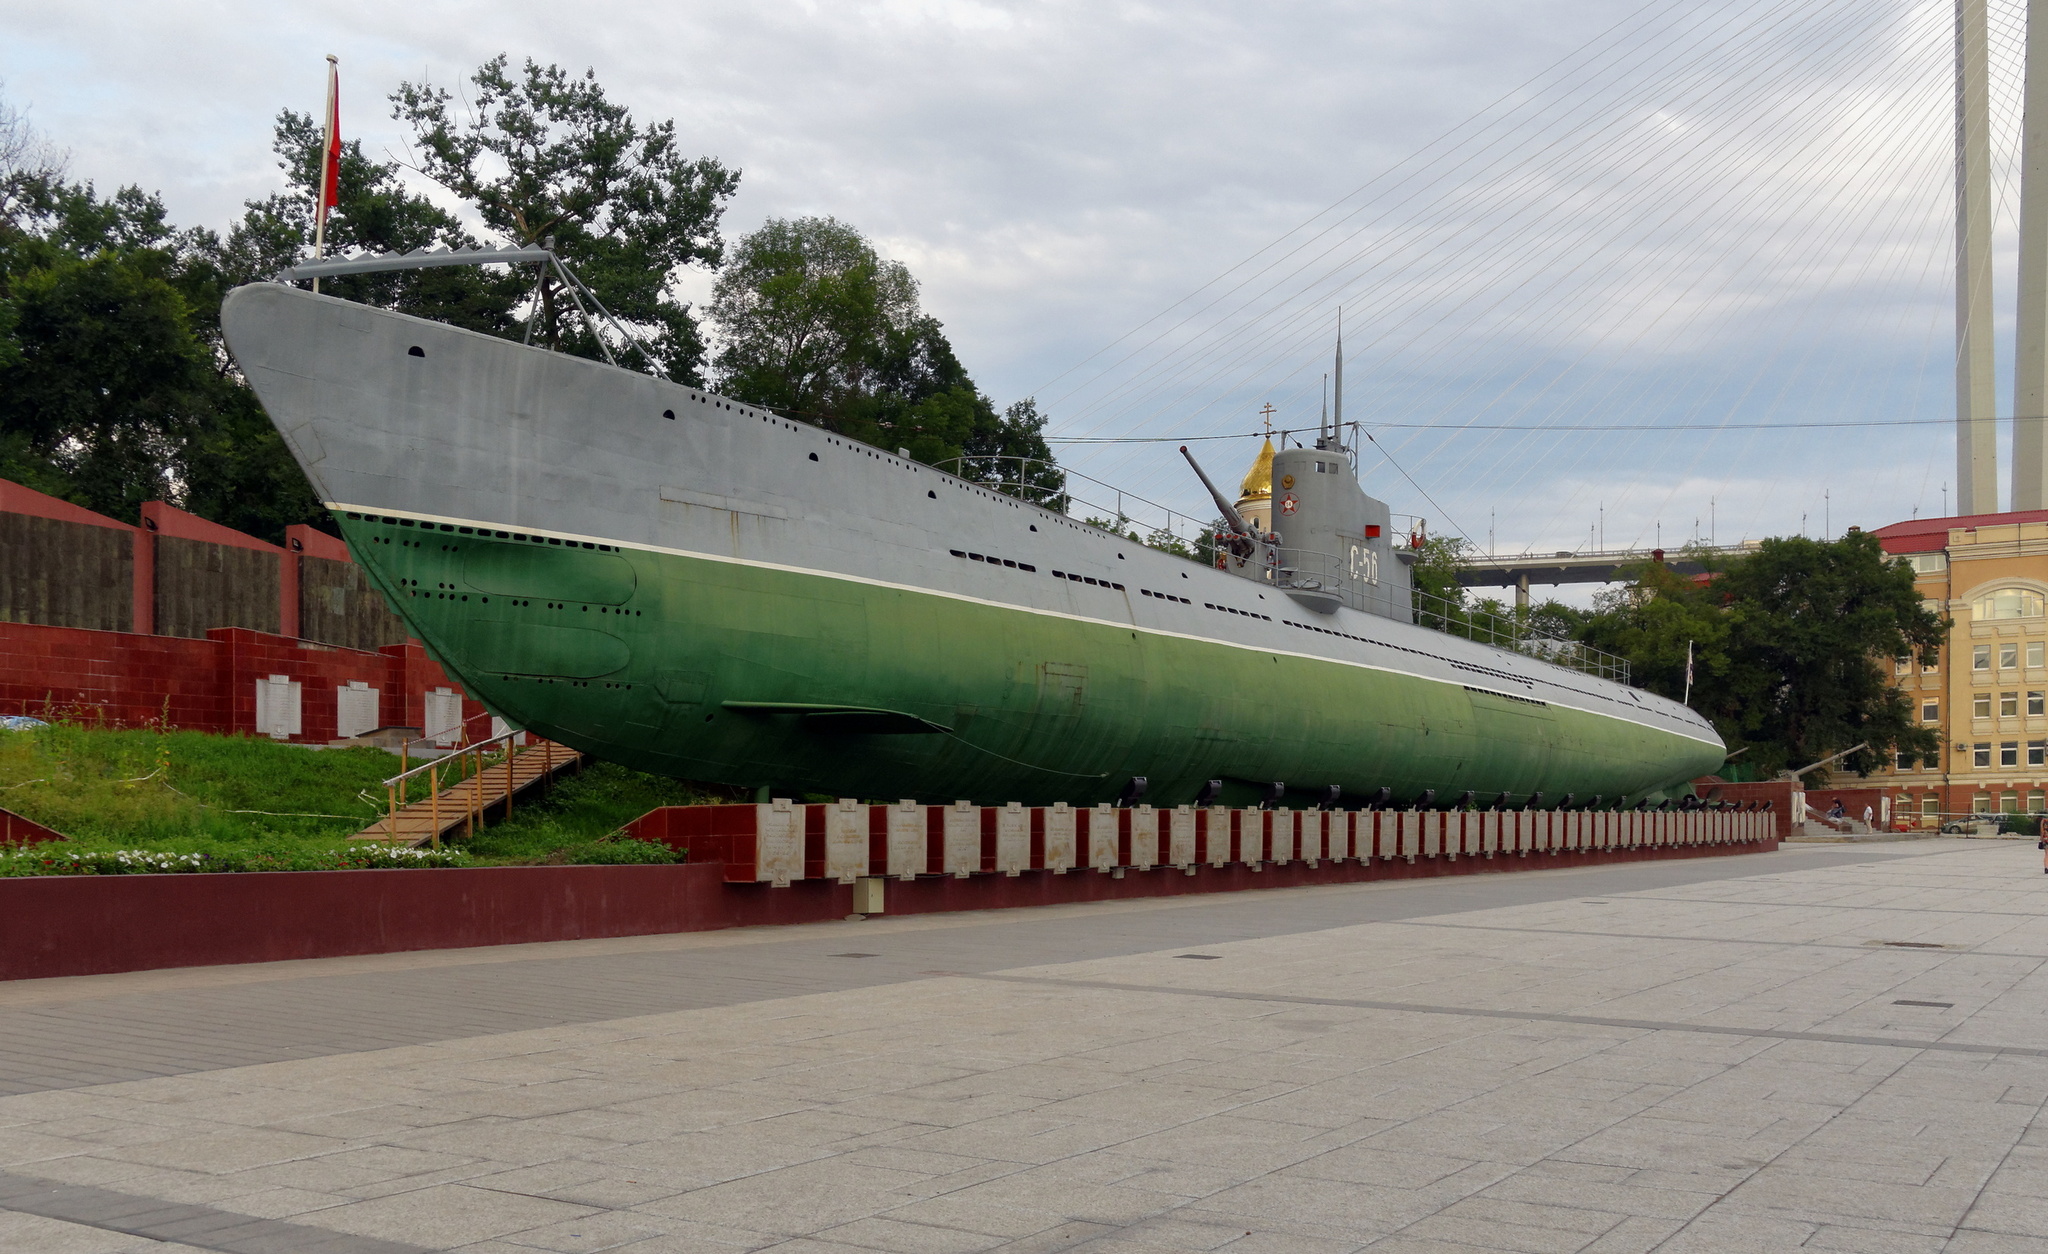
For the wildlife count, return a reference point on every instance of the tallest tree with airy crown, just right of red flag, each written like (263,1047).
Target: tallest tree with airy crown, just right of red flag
(546,155)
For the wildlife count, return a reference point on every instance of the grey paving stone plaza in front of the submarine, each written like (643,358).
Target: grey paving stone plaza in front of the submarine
(1826,1048)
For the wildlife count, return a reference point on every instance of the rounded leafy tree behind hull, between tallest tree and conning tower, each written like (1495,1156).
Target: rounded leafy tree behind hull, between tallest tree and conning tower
(818,325)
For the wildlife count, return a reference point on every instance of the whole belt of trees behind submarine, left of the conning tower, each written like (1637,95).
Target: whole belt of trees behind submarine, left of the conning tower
(118,388)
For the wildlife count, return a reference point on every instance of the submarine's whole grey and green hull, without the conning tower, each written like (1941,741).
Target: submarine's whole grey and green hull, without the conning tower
(687,585)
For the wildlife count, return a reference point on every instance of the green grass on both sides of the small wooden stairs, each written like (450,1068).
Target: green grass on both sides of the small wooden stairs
(243,802)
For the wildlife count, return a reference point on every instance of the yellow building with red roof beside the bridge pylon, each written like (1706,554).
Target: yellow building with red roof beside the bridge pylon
(1990,692)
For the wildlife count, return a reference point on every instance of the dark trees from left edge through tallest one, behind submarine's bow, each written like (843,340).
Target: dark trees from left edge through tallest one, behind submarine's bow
(116,384)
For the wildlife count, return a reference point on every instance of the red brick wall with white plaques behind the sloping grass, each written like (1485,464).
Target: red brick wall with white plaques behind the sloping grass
(206,685)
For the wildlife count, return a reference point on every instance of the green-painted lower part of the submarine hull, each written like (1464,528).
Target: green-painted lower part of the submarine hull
(806,683)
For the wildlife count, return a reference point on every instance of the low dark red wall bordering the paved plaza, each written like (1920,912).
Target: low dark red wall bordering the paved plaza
(89,925)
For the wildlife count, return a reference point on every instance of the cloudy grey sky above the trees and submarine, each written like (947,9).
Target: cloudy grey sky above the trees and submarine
(1058,175)
